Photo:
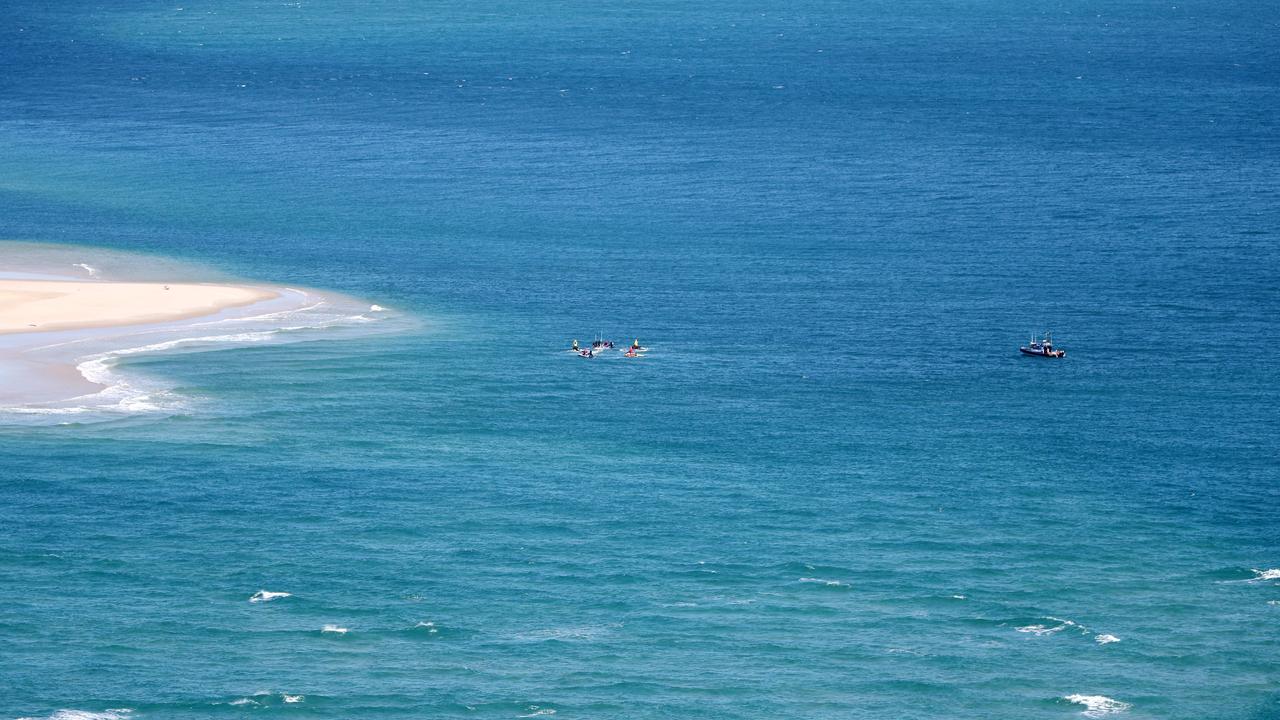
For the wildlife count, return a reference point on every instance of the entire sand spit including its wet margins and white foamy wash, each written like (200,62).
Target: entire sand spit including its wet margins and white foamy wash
(71,316)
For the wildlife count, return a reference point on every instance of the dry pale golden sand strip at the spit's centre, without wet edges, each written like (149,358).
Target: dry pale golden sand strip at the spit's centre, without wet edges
(61,306)
